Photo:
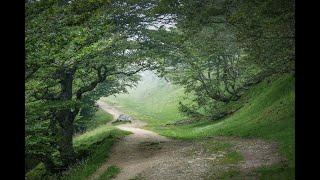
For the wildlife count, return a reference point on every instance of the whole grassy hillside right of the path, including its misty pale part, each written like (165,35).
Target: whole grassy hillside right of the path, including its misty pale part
(268,114)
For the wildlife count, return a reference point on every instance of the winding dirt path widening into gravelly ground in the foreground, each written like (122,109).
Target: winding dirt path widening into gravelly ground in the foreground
(147,155)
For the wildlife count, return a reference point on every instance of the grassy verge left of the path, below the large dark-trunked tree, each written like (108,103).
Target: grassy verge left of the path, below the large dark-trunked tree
(93,147)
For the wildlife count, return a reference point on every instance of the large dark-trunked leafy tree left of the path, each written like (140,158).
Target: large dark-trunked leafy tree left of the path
(74,49)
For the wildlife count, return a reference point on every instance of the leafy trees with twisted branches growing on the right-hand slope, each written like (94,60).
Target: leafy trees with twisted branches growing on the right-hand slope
(222,46)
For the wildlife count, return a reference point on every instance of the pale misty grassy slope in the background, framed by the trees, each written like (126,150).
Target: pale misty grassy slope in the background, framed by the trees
(154,100)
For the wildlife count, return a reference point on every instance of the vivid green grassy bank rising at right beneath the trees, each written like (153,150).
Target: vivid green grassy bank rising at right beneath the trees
(269,115)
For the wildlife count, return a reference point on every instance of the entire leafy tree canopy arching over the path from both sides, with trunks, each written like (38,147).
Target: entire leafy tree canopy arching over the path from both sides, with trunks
(78,51)
